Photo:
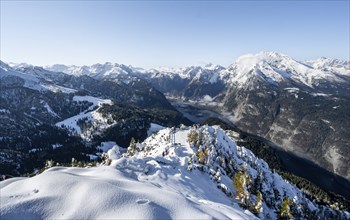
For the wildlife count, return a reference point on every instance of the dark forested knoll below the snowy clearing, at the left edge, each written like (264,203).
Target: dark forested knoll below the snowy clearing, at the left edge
(22,155)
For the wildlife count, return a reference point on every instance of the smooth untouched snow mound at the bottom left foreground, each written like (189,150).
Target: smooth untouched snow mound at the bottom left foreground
(120,191)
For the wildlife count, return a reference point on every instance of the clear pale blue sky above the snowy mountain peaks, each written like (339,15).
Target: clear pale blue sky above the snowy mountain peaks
(171,33)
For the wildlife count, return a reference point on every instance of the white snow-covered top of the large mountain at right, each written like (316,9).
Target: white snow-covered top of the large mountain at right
(275,68)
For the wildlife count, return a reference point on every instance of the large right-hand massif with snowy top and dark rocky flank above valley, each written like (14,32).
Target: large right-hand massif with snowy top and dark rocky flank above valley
(302,108)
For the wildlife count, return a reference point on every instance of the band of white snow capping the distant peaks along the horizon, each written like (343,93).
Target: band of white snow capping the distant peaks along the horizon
(271,67)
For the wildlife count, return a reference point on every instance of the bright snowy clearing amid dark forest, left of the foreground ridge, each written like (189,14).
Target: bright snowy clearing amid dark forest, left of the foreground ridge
(90,114)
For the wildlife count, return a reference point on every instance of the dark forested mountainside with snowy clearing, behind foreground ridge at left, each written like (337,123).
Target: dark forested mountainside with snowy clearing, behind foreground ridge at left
(47,115)
